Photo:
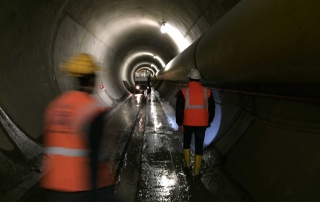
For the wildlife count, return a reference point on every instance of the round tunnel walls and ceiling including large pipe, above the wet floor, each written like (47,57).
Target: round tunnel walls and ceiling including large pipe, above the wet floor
(260,58)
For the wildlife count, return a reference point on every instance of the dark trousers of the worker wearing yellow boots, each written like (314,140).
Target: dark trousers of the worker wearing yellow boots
(199,133)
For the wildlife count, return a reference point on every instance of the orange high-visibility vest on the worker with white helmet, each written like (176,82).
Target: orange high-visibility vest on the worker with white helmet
(196,105)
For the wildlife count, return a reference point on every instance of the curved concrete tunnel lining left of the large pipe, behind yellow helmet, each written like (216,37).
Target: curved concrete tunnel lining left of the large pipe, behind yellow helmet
(120,34)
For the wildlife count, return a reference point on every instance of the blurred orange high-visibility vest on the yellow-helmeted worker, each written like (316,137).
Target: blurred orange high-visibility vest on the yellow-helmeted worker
(66,144)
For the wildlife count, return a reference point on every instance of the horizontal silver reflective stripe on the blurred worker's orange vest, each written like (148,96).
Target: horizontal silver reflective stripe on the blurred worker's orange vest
(66,151)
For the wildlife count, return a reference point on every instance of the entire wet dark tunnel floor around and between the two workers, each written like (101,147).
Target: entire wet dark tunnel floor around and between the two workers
(147,151)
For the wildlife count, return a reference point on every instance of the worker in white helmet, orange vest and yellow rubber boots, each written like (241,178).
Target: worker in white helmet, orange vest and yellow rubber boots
(195,109)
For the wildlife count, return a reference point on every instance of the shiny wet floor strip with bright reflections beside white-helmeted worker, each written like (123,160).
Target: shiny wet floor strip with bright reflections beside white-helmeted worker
(162,177)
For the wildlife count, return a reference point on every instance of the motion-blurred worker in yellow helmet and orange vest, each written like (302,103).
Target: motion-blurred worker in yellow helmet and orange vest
(74,125)
